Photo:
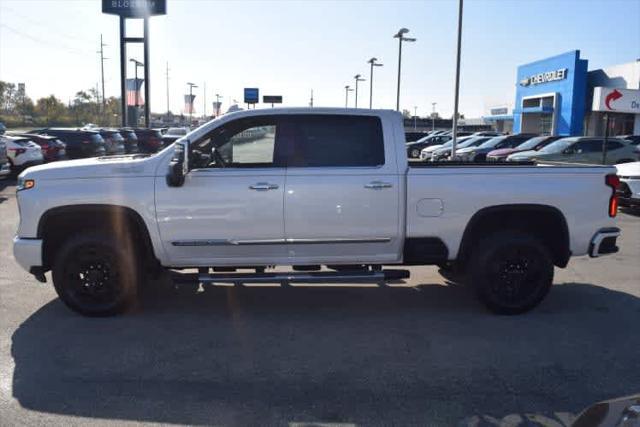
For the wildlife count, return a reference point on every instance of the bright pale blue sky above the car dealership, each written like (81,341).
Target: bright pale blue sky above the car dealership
(289,47)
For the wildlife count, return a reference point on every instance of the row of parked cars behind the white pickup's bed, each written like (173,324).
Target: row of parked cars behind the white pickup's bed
(485,146)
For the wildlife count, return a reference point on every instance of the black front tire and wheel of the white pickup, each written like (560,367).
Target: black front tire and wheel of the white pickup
(96,274)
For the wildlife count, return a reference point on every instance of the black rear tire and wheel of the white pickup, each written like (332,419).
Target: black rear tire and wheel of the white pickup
(511,272)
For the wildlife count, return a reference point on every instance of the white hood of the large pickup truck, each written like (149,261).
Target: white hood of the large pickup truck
(96,167)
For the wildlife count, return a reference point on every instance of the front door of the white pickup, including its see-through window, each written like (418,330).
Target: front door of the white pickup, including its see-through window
(230,209)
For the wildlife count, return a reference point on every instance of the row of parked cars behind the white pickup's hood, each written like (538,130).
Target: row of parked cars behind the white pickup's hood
(19,150)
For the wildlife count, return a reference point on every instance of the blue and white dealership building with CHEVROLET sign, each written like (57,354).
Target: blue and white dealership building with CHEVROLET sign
(560,96)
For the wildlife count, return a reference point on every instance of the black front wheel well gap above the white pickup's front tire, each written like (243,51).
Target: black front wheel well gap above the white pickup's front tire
(57,224)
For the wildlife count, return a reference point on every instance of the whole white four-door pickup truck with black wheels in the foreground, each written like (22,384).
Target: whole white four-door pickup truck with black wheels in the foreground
(306,188)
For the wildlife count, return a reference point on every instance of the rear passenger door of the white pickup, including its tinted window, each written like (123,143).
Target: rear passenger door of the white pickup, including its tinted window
(342,195)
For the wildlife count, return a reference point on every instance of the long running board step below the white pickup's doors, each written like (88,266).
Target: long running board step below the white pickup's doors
(285,278)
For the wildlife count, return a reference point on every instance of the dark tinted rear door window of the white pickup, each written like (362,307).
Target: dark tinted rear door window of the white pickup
(336,140)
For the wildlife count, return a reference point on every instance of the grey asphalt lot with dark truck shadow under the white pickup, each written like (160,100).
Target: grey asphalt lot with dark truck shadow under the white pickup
(428,354)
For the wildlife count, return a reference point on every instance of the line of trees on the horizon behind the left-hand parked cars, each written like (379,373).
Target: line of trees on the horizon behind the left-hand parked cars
(19,110)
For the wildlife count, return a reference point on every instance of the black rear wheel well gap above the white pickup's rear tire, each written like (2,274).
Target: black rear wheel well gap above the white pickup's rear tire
(544,222)
